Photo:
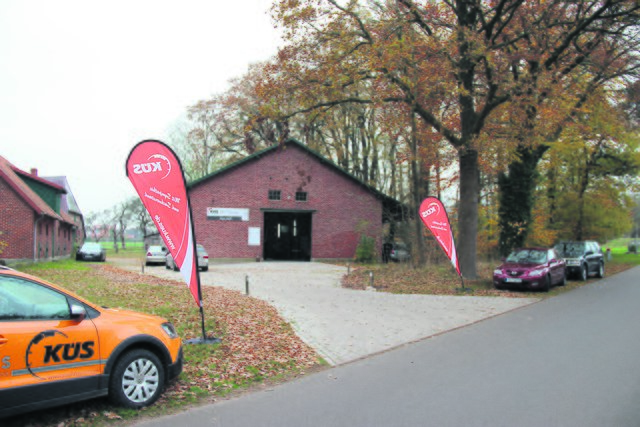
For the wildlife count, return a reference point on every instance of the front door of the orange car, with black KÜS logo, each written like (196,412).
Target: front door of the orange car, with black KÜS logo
(46,351)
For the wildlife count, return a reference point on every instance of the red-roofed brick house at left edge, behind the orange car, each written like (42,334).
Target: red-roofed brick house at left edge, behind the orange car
(36,220)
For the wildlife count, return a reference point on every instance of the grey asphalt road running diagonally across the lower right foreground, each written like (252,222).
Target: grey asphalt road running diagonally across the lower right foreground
(572,360)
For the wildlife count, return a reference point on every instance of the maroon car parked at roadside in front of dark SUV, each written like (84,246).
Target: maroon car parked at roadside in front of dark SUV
(531,268)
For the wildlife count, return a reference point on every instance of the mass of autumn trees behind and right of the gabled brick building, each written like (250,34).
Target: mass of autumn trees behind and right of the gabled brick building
(454,99)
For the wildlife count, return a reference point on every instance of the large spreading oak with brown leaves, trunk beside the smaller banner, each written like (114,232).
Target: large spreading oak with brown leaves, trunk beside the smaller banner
(455,64)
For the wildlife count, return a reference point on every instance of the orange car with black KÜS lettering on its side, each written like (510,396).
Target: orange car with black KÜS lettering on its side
(57,348)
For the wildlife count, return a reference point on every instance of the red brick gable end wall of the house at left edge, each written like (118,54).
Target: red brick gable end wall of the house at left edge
(16,224)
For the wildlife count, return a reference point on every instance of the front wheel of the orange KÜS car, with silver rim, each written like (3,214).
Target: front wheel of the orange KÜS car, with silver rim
(137,379)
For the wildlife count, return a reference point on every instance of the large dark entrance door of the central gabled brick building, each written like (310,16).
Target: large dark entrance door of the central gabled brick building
(287,236)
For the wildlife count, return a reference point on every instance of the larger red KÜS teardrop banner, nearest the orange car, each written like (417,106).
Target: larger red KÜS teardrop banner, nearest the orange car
(156,174)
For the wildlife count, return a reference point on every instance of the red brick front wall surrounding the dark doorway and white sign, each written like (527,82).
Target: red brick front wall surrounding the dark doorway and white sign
(343,208)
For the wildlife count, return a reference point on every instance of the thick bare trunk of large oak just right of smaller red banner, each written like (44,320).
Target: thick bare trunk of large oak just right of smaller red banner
(468,212)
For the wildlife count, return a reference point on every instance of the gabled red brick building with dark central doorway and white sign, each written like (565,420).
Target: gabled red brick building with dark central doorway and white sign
(286,202)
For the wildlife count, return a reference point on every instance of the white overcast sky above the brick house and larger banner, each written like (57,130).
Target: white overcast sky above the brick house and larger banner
(82,81)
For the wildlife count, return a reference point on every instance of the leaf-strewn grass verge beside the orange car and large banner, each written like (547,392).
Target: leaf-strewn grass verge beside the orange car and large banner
(257,345)
